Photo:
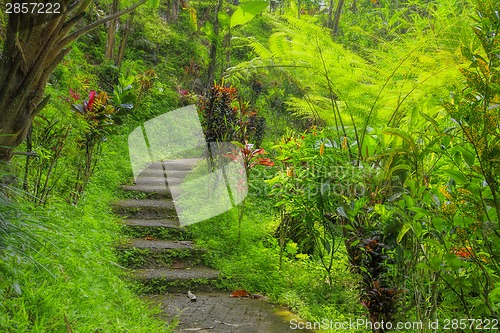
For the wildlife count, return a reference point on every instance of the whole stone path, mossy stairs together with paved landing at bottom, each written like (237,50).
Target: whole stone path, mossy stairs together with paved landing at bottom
(167,264)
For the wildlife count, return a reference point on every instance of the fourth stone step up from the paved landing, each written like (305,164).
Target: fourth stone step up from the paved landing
(144,208)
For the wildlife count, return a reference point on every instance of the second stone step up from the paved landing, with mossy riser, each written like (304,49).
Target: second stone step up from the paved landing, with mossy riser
(145,253)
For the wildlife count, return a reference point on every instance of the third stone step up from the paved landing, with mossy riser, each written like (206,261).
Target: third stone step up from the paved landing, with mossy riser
(156,228)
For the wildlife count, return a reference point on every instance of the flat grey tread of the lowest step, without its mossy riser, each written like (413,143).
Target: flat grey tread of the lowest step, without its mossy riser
(173,274)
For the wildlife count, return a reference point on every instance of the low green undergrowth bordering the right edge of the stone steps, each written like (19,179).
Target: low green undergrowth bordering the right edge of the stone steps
(253,264)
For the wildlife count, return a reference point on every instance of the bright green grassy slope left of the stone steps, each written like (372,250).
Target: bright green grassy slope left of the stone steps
(73,272)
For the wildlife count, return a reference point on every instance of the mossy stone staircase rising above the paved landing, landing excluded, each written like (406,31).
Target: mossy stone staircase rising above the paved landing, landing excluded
(160,254)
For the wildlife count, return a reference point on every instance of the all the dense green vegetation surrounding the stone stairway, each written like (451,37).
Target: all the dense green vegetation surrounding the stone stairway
(375,194)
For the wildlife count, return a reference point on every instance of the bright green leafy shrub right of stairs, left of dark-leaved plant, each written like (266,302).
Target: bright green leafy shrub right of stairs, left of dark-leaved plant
(311,178)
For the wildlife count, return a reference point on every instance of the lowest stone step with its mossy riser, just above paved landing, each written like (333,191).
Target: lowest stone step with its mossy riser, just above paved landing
(161,280)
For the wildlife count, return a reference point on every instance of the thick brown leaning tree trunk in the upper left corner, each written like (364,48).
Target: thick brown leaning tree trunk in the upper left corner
(34,45)
